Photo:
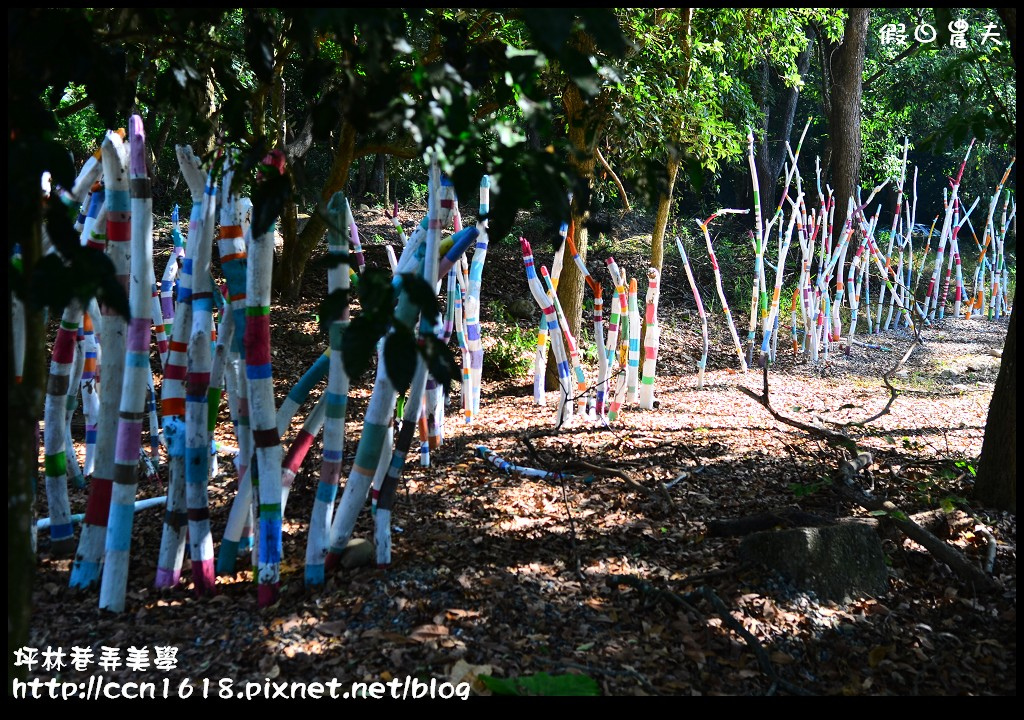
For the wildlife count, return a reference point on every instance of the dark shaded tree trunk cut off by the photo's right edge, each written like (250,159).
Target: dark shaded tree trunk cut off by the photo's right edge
(997,484)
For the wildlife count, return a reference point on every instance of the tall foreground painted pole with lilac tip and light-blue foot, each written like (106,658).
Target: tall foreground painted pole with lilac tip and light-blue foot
(122,516)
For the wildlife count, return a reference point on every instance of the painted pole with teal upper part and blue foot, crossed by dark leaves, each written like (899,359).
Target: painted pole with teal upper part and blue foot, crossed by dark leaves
(337,399)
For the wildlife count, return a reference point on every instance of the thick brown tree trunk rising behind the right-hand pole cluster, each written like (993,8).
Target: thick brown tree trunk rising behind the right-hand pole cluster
(844,69)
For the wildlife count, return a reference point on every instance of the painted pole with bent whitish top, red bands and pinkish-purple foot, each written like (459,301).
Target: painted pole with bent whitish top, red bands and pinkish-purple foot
(174,387)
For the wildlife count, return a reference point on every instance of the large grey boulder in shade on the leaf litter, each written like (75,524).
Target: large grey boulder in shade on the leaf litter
(838,563)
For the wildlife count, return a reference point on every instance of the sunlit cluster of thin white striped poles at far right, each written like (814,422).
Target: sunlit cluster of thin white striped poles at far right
(816,310)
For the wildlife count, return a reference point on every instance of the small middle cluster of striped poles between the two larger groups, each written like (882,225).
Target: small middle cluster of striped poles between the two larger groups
(619,371)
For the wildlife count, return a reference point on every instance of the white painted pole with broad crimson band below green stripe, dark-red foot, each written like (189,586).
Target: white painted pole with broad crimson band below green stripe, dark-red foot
(263,413)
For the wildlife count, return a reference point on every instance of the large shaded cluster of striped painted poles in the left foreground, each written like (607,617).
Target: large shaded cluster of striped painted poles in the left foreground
(211,338)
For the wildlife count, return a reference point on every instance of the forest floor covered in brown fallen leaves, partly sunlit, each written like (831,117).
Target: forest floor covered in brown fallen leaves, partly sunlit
(511,577)
